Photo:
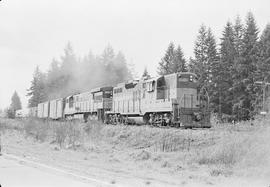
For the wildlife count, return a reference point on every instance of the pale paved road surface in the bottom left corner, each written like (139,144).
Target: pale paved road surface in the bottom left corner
(18,173)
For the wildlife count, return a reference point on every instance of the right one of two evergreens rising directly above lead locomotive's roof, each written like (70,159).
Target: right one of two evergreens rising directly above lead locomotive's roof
(179,62)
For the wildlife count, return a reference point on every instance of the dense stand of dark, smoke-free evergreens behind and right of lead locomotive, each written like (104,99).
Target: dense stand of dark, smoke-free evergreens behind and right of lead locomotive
(228,69)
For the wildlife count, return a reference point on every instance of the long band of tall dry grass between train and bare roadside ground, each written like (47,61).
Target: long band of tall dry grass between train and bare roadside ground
(230,146)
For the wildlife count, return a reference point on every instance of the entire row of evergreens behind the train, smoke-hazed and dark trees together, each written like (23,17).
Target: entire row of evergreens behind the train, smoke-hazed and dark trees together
(227,68)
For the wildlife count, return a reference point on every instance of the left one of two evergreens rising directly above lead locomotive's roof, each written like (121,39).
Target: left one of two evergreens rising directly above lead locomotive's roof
(166,62)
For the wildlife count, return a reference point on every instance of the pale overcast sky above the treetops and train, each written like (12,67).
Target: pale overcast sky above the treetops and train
(32,32)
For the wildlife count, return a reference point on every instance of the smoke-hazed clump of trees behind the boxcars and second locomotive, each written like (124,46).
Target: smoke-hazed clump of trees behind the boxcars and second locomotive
(72,74)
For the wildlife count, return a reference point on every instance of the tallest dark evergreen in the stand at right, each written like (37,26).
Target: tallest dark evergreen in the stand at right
(246,69)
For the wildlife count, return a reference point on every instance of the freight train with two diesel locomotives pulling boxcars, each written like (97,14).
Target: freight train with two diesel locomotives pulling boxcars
(171,100)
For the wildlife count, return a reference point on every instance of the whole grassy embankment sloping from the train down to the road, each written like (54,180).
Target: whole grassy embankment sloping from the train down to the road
(145,156)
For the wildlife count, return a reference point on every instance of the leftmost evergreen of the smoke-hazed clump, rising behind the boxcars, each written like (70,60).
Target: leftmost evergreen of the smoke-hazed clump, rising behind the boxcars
(37,91)
